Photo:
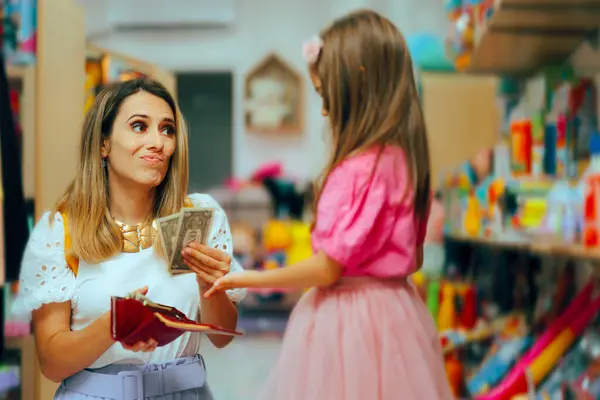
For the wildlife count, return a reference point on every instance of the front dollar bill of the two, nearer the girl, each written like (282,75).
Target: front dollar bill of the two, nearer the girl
(195,226)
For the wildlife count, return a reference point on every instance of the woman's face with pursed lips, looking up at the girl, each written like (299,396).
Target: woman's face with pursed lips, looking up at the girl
(142,140)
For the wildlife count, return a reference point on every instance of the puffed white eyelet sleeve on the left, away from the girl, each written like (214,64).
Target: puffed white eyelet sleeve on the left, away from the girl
(45,277)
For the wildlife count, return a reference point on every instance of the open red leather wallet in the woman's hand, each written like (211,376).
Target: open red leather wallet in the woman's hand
(133,321)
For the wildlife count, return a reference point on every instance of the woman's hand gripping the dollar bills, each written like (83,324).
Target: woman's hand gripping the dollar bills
(208,263)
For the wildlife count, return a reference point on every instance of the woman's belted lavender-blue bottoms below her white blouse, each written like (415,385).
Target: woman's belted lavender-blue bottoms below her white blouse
(139,382)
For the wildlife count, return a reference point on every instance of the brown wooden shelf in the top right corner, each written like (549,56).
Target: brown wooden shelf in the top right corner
(523,35)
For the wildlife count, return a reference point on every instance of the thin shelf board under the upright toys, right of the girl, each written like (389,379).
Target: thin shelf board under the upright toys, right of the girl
(537,247)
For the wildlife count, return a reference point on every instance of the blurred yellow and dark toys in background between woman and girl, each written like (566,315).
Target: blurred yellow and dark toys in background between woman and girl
(266,214)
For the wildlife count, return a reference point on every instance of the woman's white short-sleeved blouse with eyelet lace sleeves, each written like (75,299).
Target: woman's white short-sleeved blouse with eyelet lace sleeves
(46,278)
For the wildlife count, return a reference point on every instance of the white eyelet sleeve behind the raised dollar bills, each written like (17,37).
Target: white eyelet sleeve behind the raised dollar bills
(220,237)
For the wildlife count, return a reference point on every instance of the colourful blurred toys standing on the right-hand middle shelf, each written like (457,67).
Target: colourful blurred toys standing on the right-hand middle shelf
(540,197)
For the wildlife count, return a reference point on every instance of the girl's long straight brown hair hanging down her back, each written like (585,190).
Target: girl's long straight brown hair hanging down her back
(370,95)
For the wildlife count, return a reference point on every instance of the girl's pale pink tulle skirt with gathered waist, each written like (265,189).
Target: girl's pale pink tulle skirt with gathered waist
(363,339)
